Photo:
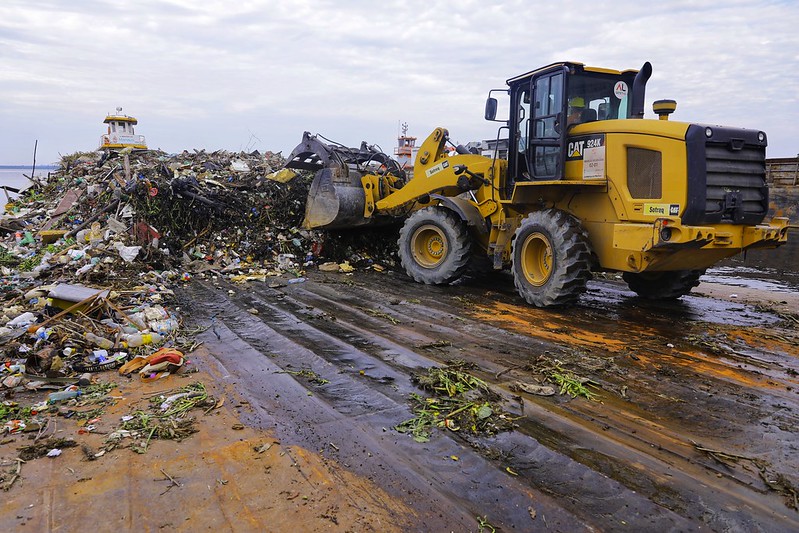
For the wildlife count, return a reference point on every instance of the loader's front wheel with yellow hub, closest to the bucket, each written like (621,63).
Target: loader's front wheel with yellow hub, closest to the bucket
(434,246)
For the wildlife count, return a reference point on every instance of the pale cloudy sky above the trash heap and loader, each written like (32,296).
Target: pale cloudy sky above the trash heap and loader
(255,74)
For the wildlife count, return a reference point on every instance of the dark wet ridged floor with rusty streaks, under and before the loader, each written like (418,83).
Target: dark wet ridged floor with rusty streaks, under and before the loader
(676,382)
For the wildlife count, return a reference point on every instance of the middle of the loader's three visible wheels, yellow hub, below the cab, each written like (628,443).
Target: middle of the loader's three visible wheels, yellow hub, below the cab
(552,259)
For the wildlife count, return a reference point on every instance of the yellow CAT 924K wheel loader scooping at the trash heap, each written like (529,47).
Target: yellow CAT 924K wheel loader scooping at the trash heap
(581,183)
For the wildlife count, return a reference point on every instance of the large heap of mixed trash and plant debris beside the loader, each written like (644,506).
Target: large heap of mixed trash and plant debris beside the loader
(89,260)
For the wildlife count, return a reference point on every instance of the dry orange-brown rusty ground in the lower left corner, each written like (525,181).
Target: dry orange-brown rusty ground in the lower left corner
(230,478)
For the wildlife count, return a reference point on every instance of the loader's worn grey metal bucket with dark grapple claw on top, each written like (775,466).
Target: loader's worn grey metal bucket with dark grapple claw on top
(336,198)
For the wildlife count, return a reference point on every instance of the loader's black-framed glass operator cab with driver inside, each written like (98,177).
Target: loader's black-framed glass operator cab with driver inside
(546,104)
